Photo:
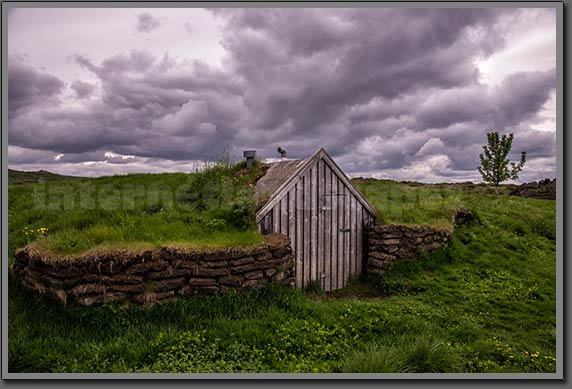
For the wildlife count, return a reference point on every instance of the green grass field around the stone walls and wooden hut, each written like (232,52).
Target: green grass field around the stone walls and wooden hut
(484,303)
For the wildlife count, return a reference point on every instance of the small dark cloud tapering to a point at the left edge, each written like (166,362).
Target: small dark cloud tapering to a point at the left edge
(29,87)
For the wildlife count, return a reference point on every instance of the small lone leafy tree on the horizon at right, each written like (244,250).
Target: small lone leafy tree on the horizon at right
(494,163)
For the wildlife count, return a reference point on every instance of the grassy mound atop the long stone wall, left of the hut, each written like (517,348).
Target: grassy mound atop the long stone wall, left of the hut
(210,208)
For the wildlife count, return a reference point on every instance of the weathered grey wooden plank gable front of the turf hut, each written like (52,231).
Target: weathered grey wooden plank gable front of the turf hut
(324,215)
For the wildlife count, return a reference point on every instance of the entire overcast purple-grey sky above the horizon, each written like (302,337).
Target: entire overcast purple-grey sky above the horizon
(406,94)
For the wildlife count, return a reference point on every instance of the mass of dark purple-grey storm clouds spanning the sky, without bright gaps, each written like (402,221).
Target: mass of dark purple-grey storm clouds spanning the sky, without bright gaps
(376,95)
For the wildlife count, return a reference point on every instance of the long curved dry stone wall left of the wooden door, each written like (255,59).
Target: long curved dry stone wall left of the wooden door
(149,276)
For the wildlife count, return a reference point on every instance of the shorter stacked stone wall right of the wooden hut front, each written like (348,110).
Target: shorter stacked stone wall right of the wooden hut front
(389,243)
